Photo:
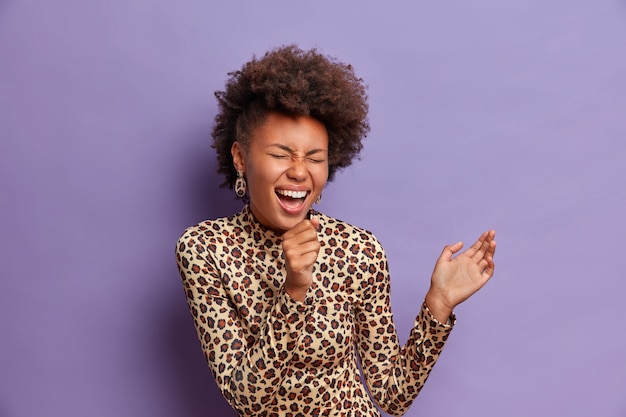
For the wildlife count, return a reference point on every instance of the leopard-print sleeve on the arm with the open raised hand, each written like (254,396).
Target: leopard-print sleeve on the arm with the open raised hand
(394,374)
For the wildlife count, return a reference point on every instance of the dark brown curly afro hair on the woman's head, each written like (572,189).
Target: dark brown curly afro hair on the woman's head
(297,83)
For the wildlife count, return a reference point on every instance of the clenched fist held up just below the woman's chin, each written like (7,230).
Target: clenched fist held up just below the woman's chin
(300,248)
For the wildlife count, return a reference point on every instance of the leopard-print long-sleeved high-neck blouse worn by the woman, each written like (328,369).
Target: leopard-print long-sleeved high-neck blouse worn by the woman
(274,356)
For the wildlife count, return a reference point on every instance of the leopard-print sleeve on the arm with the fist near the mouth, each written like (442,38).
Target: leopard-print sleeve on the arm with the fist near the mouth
(248,370)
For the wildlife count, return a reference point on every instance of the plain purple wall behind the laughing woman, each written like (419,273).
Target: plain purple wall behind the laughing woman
(485,114)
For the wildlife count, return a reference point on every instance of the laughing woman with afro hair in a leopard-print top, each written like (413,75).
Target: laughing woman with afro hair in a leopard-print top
(284,298)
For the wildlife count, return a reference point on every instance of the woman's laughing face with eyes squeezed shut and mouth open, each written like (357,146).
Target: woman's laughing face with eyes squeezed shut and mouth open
(286,168)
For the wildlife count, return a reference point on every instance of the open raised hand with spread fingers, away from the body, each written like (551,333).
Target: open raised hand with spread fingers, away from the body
(455,279)
